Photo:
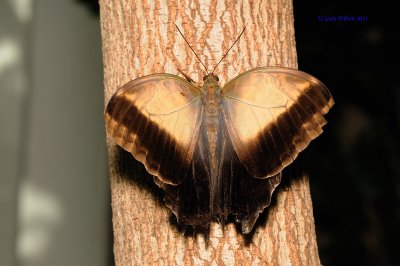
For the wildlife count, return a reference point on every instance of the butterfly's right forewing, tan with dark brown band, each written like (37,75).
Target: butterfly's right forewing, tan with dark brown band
(272,114)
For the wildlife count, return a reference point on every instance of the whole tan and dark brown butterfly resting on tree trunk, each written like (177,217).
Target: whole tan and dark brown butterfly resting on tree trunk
(218,152)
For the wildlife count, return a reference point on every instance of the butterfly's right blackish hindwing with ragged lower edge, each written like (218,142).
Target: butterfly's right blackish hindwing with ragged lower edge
(239,193)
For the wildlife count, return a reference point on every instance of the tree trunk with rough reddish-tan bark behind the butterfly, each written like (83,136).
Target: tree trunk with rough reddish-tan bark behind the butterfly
(139,38)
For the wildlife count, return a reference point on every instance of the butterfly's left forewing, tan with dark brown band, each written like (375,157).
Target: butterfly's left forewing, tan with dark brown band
(157,118)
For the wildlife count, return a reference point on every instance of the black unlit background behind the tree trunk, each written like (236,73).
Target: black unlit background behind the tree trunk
(355,165)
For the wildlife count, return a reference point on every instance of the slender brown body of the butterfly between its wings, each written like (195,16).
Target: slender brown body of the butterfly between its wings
(211,97)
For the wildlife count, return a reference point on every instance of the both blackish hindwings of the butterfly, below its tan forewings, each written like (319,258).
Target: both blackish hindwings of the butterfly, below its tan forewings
(198,201)
